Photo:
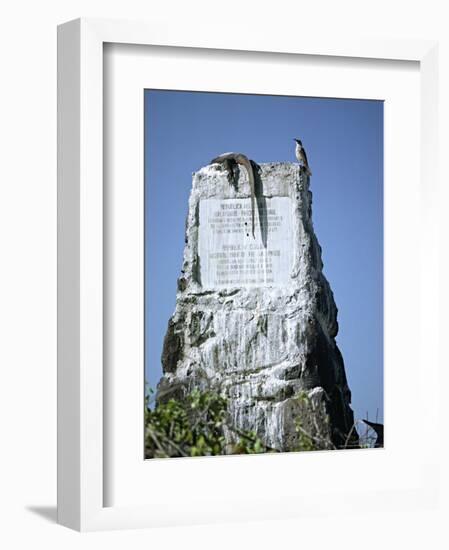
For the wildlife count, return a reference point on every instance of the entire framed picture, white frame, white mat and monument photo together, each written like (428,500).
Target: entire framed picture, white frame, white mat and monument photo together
(237,247)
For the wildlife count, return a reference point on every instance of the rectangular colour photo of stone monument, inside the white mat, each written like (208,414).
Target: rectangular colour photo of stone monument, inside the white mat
(240,320)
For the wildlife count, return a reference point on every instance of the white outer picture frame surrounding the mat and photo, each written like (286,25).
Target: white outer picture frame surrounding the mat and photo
(82,391)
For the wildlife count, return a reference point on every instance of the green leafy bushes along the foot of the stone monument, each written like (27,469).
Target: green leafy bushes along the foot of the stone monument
(200,425)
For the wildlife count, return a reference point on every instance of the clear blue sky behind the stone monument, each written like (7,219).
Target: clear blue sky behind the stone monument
(344,143)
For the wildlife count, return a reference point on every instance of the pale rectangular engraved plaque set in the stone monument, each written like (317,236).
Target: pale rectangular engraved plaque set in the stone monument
(229,254)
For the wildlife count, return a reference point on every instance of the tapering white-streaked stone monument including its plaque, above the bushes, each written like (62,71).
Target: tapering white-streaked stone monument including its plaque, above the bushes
(265,337)
